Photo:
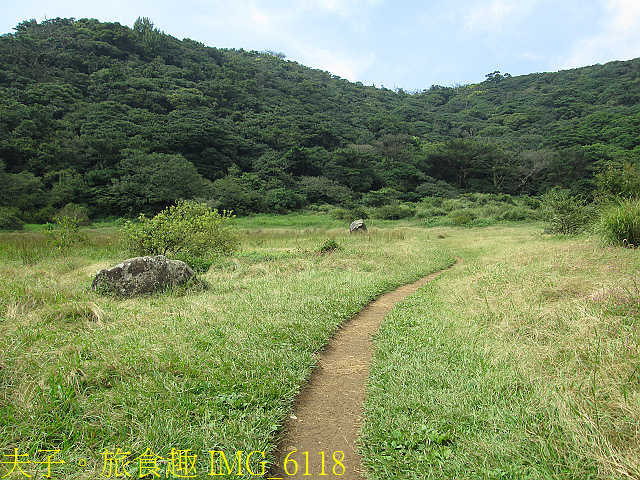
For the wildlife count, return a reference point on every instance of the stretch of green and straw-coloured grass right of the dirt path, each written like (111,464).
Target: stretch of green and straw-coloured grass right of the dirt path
(520,363)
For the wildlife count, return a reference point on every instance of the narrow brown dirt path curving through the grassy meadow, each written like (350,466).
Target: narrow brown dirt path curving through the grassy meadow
(327,414)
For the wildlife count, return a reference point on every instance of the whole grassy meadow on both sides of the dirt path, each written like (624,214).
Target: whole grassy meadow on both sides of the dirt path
(521,362)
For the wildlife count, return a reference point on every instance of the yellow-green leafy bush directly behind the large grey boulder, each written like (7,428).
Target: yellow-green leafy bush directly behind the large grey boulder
(187,230)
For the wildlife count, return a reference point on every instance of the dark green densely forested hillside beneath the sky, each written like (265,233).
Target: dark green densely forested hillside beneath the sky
(125,120)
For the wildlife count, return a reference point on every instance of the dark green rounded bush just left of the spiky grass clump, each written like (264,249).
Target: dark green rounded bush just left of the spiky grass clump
(567,214)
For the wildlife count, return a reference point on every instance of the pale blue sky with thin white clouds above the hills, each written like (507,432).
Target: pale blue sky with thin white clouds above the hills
(406,44)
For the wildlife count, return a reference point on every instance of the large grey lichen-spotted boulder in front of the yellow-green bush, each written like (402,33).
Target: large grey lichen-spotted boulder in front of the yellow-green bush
(142,276)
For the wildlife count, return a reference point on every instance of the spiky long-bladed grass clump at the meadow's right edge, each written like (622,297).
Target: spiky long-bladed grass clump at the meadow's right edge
(620,224)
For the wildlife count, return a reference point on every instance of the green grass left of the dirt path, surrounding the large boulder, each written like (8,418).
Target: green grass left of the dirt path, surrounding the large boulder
(188,370)
